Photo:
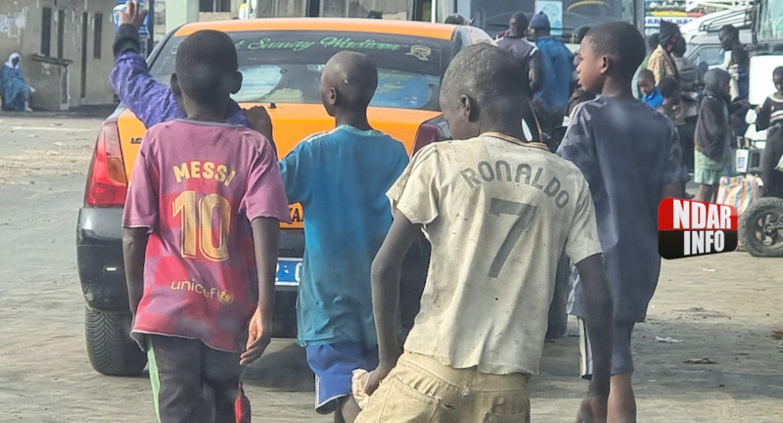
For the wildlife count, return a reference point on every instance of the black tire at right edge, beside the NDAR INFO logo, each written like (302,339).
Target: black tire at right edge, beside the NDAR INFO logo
(755,238)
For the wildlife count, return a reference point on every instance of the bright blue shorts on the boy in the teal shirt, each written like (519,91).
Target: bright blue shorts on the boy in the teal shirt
(333,365)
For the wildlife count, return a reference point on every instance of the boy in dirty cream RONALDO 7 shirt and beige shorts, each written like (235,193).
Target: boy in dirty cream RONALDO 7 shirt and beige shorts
(499,212)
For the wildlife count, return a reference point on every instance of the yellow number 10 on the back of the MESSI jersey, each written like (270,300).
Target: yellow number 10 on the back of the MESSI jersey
(197,225)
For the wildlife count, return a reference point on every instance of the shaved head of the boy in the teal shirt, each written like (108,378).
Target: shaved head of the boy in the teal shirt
(349,81)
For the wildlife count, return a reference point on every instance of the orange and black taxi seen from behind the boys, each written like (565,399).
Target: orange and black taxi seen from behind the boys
(281,60)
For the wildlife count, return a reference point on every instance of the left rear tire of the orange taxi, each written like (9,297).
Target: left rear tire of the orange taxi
(110,348)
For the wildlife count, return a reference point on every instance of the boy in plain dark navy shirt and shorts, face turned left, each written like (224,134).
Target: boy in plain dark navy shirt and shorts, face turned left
(631,158)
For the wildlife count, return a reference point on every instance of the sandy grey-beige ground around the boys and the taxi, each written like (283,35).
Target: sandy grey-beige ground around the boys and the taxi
(722,307)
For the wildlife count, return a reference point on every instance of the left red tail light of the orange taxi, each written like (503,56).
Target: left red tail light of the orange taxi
(106,181)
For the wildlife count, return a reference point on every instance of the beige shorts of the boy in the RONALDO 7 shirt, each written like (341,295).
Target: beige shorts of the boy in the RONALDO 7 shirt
(420,389)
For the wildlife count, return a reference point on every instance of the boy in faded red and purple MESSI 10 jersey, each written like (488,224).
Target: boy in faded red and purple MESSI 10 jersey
(201,229)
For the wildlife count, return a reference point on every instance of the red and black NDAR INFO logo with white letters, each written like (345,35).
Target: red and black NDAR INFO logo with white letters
(694,228)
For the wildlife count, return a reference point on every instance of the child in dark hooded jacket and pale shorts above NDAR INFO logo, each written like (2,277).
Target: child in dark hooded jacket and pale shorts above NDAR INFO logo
(713,134)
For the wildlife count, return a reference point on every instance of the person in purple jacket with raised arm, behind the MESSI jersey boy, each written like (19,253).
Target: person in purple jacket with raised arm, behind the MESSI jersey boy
(153,103)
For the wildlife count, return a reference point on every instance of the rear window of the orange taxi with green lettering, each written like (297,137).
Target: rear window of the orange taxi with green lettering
(286,66)
